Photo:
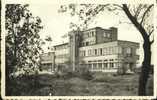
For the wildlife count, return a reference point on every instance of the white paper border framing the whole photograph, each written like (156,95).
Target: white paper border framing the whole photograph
(66,2)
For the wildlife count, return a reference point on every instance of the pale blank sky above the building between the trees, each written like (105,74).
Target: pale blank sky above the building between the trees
(57,24)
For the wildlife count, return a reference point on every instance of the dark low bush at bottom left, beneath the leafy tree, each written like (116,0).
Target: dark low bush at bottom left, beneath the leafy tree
(23,85)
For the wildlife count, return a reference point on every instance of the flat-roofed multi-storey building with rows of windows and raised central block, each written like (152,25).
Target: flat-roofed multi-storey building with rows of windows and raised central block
(96,48)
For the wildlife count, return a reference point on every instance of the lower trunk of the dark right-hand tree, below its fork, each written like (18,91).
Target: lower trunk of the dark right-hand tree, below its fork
(144,75)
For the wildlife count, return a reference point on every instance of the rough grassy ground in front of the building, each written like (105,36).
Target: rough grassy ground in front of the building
(101,85)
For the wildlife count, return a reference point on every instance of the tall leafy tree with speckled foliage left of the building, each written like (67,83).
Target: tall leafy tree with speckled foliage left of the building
(23,43)
